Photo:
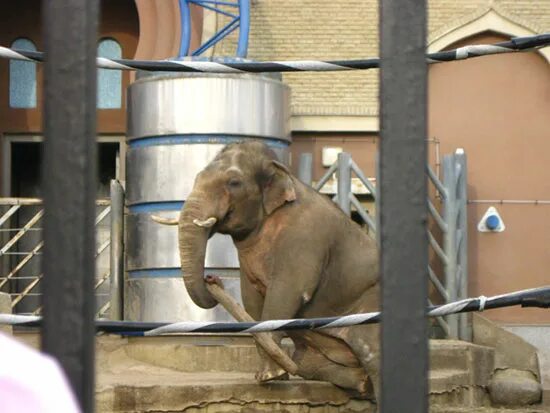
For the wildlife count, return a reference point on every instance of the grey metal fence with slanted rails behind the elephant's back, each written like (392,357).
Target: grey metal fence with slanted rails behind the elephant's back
(449,252)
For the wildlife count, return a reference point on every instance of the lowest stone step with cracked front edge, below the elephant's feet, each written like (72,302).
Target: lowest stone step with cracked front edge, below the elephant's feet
(143,388)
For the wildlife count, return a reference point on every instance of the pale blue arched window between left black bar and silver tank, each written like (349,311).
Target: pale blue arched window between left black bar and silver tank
(109,82)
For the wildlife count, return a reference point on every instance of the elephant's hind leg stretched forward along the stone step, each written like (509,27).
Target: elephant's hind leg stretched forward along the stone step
(313,365)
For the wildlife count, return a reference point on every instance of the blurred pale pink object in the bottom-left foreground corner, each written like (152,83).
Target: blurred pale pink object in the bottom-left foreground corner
(32,382)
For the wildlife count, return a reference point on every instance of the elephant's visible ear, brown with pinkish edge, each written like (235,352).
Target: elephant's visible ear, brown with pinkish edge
(277,186)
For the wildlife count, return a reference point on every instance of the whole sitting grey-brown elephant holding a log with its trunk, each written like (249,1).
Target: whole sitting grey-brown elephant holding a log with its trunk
(300,256)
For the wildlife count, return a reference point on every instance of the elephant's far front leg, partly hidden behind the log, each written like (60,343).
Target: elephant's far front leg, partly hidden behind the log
(253,303)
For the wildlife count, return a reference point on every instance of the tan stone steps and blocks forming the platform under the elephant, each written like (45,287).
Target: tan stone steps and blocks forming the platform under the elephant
(209,373)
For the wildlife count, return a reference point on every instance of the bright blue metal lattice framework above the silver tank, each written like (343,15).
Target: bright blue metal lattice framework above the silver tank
(240,18)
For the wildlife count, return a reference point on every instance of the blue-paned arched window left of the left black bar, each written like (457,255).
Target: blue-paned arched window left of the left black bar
(22,78)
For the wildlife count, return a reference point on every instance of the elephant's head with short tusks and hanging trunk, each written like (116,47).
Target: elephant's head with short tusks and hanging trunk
(233,195)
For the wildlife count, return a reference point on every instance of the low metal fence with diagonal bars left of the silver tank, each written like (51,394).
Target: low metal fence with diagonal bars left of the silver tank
(21,252)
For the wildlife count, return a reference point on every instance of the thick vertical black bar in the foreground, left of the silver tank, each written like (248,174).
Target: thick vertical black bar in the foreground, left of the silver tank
(69,187)
